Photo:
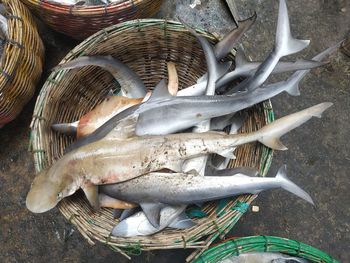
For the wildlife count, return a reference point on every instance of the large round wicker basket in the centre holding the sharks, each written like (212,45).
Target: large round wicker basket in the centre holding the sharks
(145,46)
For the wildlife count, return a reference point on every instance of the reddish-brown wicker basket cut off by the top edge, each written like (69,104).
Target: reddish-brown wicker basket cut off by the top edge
(80,22)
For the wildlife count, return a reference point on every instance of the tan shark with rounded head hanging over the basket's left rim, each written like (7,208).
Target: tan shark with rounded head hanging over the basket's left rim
(109,160)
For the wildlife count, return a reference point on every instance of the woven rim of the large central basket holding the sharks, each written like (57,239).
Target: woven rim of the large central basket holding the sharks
(166,25)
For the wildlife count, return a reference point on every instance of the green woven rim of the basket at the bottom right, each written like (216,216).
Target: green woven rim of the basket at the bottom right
(235,247)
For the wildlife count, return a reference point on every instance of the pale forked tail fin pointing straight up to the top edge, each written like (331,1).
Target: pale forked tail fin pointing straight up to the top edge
(285,43)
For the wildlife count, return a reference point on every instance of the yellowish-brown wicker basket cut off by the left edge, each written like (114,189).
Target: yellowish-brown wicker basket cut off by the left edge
(21,61)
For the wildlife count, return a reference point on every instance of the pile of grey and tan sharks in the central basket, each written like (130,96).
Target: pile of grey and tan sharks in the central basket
(155,154)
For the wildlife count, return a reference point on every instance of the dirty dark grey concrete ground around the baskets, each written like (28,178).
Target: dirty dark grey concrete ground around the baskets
(318,157)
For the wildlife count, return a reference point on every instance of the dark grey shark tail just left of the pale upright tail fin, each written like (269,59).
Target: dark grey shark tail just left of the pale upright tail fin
(224,46)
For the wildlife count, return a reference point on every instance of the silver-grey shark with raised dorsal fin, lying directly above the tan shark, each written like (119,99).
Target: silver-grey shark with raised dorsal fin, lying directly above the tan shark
(184,111)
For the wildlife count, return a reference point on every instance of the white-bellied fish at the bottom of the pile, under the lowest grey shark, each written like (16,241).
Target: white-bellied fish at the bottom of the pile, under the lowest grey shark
(138,224)
